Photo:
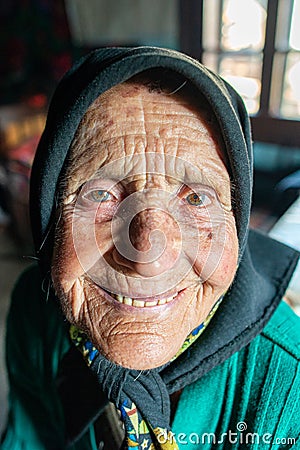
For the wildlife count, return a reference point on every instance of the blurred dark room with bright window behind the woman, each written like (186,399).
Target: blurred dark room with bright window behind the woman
(253,44)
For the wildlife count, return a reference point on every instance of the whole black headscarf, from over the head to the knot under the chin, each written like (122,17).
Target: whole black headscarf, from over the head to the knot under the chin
(260,282)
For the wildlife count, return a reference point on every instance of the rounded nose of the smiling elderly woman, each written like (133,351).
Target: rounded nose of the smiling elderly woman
(154,243)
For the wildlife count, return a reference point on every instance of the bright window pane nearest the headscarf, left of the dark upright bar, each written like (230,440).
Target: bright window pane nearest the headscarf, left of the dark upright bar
(233,40)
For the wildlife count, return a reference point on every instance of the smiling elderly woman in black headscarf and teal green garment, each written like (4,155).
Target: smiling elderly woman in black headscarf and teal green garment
(154,319)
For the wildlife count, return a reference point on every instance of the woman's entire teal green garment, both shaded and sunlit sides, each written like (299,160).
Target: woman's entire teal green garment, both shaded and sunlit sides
(257,388)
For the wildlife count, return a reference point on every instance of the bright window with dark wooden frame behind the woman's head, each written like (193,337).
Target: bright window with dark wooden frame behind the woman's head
(255,46)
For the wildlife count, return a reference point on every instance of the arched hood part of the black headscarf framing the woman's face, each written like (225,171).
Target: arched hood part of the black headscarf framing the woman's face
(105,68)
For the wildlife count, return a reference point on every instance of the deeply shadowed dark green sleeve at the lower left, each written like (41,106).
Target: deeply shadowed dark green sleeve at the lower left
(37,340)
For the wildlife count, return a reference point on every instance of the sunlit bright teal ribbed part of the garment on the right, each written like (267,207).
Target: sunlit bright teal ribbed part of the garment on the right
(256,389)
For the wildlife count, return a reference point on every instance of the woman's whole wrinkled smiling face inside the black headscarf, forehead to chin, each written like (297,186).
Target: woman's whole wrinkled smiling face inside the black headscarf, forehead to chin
(146,241)
